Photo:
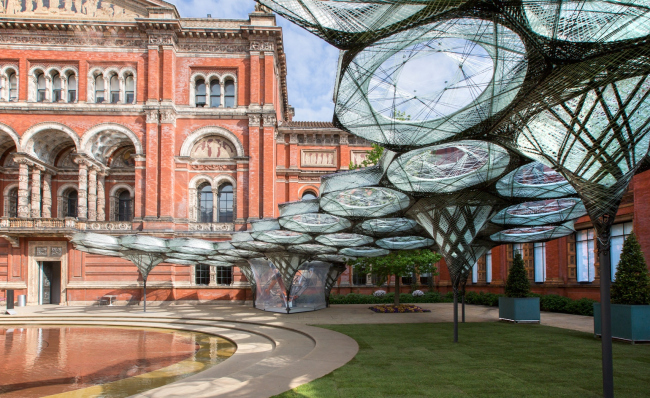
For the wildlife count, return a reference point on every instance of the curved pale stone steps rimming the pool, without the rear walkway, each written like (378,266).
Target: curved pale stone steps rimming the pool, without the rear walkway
(271,357)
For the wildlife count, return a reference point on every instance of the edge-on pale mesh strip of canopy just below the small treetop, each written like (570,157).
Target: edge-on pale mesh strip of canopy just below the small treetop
(363,177)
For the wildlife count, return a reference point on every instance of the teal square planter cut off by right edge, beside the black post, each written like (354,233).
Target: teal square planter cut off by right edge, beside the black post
(629,322)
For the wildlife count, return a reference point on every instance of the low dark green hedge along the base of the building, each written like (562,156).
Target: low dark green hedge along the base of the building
(549,303)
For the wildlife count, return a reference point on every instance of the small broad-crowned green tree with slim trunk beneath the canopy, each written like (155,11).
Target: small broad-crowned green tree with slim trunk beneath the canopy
(398,264)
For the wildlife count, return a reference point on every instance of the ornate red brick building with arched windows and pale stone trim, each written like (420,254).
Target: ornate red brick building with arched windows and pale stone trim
(123,116)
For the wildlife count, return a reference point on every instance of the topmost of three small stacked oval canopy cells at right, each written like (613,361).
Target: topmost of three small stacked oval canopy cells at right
(534,180)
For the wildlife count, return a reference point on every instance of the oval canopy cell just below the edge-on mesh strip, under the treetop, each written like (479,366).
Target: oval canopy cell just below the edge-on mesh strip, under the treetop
(365,202)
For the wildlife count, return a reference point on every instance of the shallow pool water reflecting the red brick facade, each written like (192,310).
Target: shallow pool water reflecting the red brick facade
(101,361)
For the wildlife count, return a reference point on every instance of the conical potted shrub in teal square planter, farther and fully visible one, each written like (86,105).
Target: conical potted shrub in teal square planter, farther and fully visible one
(517,306)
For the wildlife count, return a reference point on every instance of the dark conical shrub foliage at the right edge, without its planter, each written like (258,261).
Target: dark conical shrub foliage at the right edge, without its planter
(632,285)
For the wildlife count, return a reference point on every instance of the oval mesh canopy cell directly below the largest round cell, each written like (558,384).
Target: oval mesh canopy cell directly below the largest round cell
(449,167)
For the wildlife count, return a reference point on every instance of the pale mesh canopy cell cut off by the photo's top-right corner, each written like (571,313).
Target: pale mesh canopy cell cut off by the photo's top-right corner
(588,21)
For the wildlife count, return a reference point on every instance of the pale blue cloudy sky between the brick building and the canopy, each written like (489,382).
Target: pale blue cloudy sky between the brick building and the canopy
(311,62)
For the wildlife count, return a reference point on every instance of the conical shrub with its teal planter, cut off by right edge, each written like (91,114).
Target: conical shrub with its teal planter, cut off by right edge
(630,296)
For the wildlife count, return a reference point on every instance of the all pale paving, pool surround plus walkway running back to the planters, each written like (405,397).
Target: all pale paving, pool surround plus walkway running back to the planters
(276,352)
